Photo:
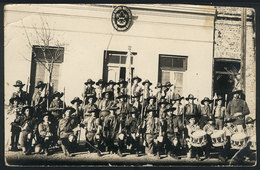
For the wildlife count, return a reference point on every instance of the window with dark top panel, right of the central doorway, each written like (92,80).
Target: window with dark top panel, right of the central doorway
(172,69)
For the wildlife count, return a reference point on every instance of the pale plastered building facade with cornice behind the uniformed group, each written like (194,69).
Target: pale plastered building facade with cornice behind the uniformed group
(168,43)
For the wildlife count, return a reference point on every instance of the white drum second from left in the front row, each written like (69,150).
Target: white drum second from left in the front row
(219,138)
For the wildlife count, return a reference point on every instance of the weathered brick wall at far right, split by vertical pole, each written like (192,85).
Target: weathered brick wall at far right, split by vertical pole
(228,45)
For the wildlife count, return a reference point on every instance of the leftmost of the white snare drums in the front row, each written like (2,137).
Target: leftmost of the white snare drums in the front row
(198,138)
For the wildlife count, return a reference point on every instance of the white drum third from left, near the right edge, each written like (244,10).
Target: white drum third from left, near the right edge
(238,140)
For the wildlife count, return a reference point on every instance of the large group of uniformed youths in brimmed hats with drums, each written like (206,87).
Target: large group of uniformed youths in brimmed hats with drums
(118,119)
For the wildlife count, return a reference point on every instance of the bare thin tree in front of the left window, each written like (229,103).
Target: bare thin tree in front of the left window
(40,39)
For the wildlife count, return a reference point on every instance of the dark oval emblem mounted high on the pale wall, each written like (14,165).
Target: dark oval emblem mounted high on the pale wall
(122,18)
